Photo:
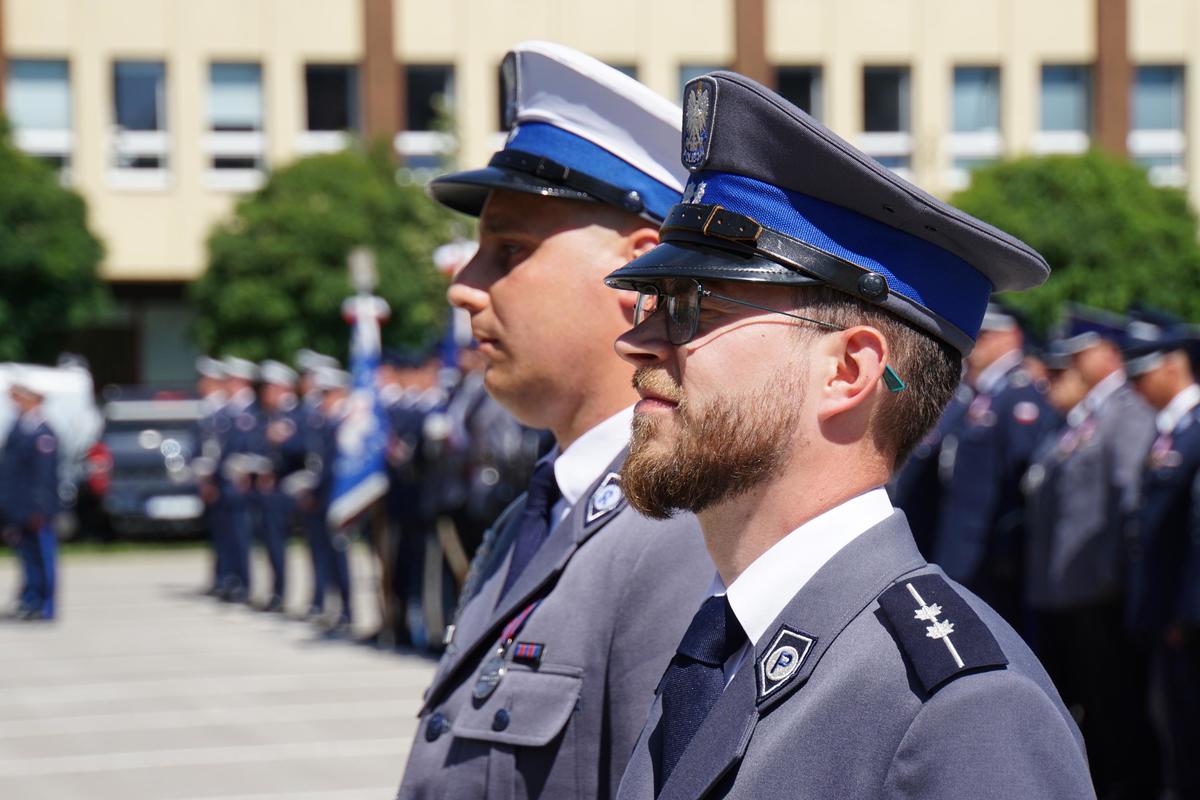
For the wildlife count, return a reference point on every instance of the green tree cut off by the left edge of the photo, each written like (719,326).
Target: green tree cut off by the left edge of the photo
(50,281)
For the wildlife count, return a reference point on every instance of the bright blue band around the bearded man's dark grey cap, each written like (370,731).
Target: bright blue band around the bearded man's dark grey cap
(920,270)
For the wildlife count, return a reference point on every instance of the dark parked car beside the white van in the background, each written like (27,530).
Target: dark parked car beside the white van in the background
(141,468)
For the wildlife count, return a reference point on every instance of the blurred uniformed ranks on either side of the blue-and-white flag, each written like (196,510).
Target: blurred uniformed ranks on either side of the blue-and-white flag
(265,459)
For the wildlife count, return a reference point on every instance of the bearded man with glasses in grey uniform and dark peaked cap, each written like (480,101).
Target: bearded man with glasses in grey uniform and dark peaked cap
(799,332)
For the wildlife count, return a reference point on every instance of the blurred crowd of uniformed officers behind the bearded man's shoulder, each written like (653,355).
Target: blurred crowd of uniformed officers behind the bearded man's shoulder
(1063,485)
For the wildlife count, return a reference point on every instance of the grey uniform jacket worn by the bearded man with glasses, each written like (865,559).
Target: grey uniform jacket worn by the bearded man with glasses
(871,702)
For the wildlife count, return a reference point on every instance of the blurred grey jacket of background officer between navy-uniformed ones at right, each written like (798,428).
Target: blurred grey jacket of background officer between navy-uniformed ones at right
(1081,492)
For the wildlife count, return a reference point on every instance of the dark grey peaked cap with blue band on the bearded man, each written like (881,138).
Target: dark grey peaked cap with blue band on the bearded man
(777,197)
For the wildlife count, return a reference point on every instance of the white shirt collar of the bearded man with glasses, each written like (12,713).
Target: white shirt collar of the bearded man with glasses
(767,586)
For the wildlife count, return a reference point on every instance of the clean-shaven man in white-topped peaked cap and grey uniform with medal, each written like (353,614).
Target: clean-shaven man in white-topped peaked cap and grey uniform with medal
(574,601)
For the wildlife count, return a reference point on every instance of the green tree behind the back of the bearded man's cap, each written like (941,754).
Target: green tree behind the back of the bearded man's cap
(1111,237)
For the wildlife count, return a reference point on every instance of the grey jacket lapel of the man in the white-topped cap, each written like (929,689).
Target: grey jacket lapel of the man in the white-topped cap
(483,619)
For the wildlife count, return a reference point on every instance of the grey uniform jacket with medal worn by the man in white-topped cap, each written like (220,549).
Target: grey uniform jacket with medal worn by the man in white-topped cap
(619,594)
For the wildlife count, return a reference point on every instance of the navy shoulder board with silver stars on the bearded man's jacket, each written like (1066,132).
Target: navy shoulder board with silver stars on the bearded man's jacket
(939,634)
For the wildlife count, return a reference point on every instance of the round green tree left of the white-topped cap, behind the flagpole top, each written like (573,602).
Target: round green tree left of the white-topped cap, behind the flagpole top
(278,275)
